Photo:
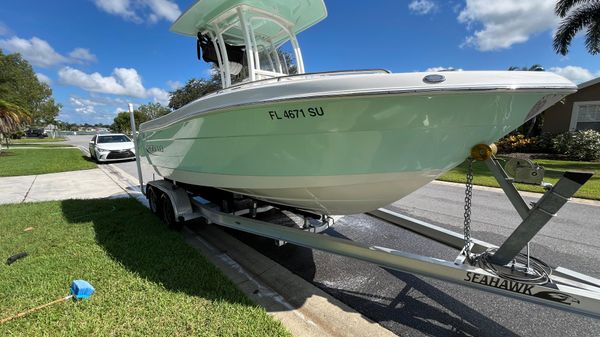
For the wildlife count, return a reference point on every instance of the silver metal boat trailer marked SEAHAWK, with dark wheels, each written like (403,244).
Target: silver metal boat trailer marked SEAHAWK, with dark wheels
(503,270)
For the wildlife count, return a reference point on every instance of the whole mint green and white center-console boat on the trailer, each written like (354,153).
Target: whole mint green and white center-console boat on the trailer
(333,143)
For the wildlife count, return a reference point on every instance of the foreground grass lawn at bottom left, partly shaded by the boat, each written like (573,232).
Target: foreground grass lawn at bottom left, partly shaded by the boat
(148,281)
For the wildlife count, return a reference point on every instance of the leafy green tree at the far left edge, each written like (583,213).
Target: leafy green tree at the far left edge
(20,86)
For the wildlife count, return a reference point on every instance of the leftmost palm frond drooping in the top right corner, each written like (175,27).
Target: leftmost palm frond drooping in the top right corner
(569,26)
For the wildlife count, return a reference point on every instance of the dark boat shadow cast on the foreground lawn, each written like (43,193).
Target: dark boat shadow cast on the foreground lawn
(134,237)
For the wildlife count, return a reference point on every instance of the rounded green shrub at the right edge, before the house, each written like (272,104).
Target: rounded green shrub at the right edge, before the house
(578,145)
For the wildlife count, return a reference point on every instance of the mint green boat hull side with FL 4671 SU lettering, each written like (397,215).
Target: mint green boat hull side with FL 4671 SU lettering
(334,155)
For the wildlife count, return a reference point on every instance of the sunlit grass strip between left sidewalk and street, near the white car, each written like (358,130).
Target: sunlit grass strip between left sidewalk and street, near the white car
(21,162)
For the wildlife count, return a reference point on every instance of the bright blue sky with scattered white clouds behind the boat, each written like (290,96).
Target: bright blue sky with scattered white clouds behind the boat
(98,55)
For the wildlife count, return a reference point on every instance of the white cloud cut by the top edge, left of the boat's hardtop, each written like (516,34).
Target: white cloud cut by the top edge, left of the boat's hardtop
(153,10)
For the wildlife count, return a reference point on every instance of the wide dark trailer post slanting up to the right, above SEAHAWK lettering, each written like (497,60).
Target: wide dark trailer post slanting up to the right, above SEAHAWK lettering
(539,215)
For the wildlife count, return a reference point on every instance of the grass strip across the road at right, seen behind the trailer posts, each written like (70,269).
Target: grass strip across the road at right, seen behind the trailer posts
(481,176)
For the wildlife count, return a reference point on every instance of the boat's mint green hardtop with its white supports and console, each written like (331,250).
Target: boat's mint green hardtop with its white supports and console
(234,34)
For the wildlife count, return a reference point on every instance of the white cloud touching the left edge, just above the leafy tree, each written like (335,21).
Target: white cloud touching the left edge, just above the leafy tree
(34,50)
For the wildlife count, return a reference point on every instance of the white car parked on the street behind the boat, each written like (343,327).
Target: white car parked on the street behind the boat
(111,147)
